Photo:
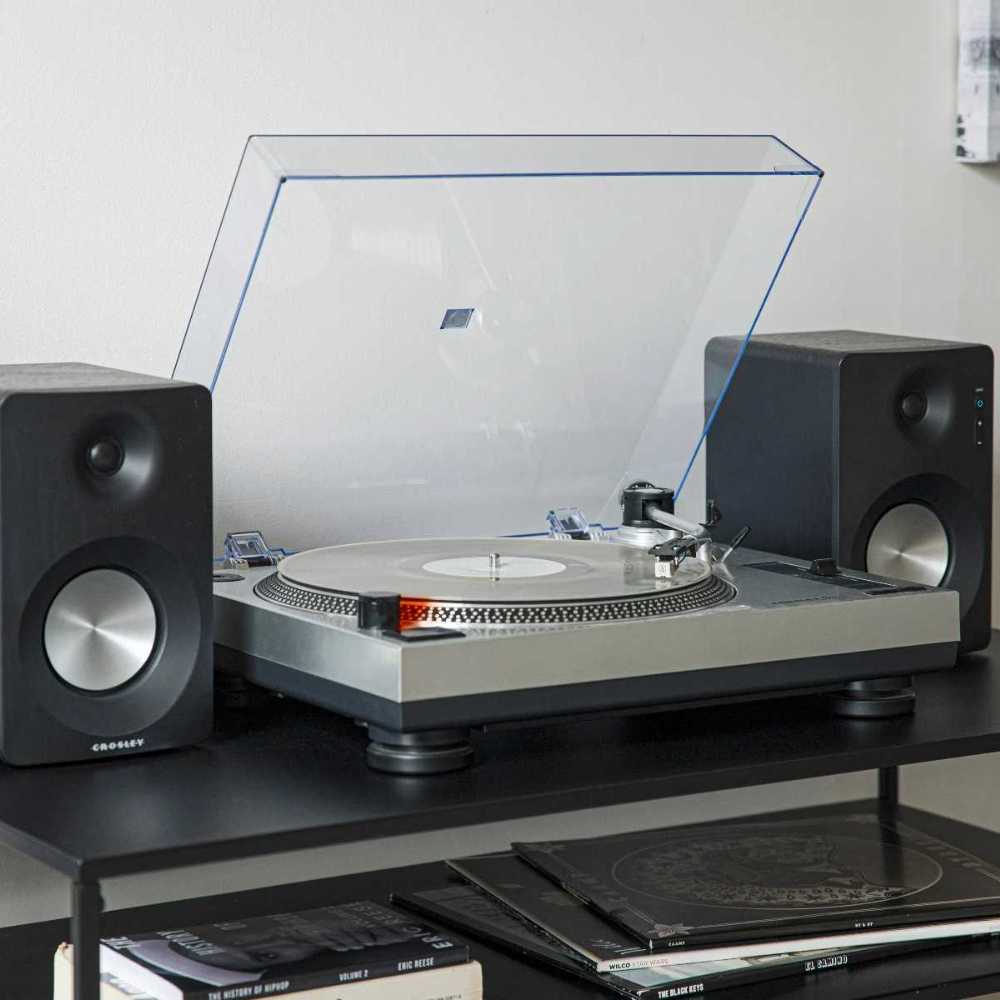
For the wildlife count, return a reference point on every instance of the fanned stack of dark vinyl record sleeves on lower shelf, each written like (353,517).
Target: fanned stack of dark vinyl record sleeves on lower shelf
(681,911)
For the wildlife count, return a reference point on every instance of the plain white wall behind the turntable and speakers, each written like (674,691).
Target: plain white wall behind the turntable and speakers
(121,124)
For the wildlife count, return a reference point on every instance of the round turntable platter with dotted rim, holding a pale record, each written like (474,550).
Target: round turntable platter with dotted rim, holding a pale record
(490,581)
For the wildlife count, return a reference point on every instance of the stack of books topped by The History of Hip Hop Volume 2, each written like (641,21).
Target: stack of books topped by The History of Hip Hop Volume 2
(355,951)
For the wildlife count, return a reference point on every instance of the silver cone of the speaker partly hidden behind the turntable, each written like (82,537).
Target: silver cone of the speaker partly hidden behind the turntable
(909,542)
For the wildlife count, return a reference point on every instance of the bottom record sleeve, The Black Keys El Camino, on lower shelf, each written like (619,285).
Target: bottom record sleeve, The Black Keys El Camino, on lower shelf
(472,911)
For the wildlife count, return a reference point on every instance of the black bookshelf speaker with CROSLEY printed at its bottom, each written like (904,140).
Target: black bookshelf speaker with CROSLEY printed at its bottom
(105,557)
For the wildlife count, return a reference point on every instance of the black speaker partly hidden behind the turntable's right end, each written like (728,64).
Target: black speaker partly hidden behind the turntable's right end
(874,449)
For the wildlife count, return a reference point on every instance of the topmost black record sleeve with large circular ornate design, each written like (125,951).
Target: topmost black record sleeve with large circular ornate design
(695,887)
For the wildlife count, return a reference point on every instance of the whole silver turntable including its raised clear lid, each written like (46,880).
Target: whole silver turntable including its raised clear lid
(420,346)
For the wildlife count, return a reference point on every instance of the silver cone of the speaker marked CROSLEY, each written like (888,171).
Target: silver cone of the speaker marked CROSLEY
(100,630)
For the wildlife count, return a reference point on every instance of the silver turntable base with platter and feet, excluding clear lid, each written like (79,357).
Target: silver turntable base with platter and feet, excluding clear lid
(470,631)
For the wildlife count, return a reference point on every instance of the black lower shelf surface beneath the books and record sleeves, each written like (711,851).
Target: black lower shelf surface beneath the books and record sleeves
(948,973)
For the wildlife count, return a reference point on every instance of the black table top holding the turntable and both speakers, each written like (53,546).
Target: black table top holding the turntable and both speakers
(291,776)
